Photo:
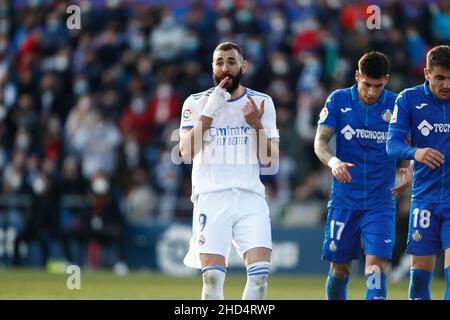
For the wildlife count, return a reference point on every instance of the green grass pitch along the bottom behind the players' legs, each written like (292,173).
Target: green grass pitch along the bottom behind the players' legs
(99,285)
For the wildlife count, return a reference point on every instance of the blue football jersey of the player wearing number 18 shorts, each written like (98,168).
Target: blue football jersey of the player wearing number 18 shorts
(427,119)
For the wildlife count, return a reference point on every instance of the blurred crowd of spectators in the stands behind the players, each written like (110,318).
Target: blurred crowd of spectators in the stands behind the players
(87,116)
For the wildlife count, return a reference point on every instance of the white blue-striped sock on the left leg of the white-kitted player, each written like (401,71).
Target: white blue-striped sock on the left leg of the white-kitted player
(213,279)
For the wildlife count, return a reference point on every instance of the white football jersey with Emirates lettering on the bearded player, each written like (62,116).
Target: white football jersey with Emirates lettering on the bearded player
(228,158)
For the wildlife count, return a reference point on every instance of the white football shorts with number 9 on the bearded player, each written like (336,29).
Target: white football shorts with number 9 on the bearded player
(231,216)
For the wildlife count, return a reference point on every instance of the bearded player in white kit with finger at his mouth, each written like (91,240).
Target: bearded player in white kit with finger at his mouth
(229,133)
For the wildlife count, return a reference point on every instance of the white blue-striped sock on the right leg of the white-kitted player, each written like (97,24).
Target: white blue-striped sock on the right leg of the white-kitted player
(256,287)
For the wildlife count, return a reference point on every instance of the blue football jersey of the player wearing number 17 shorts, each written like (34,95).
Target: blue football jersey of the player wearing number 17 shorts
(361,132)
